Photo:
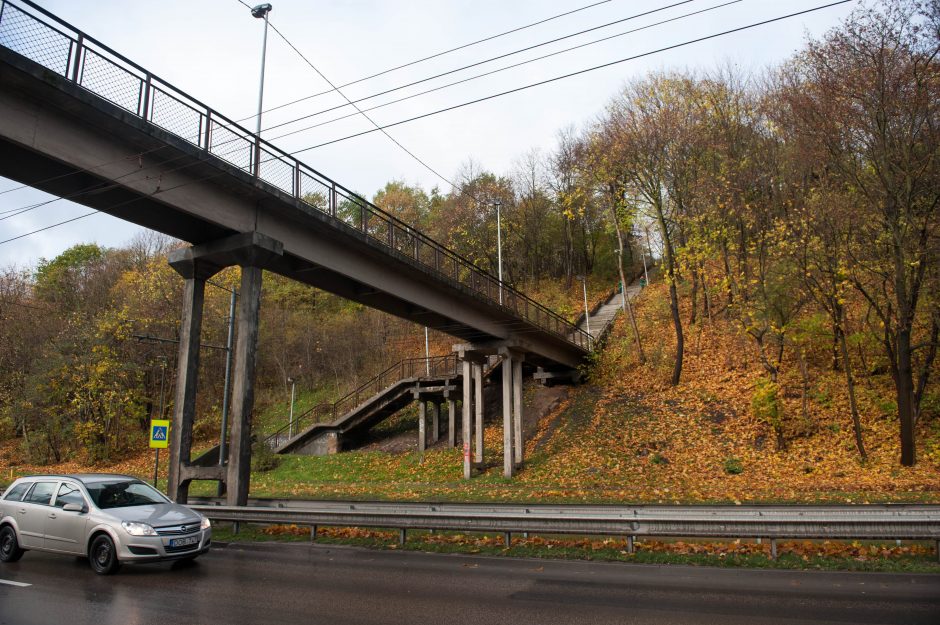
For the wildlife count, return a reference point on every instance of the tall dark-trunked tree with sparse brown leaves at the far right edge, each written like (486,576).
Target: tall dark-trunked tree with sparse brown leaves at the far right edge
(869,93)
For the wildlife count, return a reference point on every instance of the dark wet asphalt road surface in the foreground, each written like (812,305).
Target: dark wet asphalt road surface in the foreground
(285,583)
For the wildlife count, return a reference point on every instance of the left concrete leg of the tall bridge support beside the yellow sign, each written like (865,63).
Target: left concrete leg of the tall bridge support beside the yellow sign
(184,406)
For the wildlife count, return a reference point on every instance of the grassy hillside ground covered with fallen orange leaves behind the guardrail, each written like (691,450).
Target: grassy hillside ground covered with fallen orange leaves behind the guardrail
(628,436)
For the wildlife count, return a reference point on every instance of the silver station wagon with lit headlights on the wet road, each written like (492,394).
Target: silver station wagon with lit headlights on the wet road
(111,519)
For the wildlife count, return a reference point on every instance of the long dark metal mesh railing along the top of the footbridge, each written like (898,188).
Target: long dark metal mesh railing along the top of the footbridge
(44,38)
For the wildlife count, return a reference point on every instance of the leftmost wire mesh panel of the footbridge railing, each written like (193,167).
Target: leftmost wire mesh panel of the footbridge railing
(35,40)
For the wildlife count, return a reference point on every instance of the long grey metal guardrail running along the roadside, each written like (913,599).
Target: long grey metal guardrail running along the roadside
(874,522)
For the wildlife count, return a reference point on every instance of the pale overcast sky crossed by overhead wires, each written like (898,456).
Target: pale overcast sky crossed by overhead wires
(211,50)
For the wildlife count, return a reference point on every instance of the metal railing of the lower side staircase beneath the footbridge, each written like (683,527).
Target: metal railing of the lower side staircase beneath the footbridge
(327,412)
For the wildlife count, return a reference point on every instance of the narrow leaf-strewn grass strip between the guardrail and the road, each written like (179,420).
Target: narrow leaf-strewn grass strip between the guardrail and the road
(597,550)
